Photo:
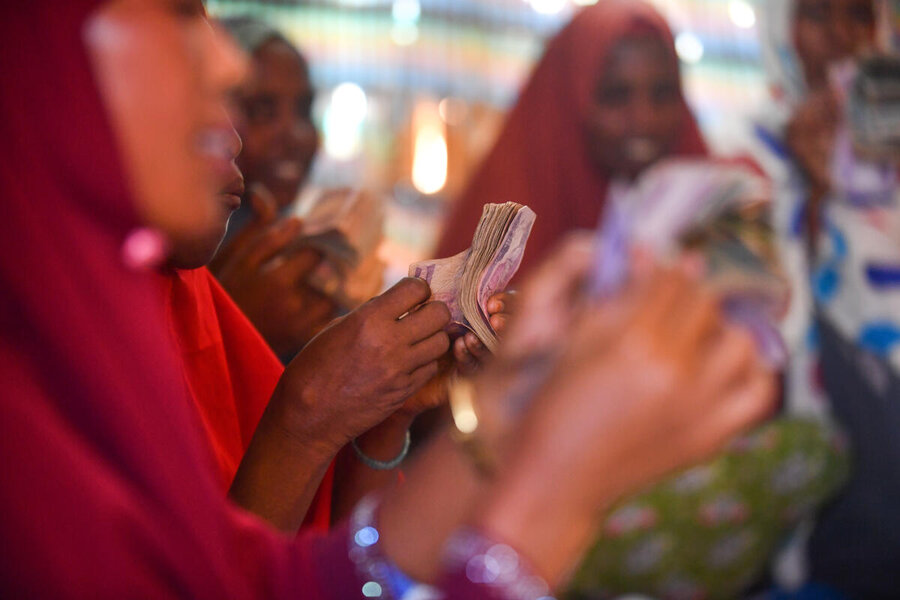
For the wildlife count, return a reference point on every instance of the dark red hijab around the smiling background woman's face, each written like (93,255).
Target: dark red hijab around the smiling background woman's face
(540,158)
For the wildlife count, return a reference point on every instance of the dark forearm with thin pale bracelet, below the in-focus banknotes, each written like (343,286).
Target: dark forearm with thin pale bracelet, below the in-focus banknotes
(354,480)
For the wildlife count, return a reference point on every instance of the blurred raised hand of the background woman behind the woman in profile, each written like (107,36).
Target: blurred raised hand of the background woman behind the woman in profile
(265,273)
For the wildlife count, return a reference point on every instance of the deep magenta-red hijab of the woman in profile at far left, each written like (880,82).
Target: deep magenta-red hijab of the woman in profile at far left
(107,490)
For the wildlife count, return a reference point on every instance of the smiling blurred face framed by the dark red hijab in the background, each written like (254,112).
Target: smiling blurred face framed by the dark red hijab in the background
(636,112)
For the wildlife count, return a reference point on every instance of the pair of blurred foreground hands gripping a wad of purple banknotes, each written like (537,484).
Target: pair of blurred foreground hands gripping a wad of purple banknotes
(621,380)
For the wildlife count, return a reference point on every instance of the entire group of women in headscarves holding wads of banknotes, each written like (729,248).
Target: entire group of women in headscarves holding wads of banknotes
(214,387)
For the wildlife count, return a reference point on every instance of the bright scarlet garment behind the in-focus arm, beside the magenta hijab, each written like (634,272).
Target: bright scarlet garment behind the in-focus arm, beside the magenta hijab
(230,373)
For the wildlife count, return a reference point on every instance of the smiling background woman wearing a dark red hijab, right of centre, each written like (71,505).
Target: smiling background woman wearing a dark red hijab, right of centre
(602,105)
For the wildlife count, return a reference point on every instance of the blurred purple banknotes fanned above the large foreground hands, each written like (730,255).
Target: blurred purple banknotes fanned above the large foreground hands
(719,210)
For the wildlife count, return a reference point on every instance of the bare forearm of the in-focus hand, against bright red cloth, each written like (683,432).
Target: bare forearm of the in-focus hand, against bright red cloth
(280,473)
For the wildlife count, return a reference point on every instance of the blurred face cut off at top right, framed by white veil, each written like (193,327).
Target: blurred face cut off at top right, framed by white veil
(829,30)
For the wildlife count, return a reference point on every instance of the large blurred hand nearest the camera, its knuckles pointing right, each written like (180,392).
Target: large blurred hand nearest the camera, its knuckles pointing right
(648,382)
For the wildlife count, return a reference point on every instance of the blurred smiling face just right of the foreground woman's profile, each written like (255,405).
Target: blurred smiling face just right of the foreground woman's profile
(275,122)
